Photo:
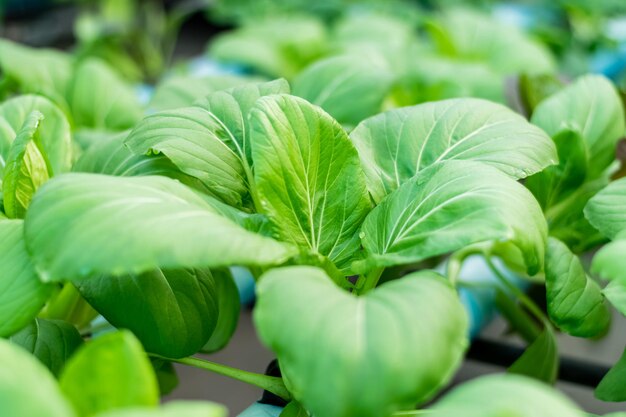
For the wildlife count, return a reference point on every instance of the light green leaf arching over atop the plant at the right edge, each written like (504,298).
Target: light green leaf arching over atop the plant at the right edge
(592,107)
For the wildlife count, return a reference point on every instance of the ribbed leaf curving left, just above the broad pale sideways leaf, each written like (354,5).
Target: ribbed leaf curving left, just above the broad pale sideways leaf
(195,141)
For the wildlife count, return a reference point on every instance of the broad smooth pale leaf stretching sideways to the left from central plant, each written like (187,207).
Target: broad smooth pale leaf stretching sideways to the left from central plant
(150,222)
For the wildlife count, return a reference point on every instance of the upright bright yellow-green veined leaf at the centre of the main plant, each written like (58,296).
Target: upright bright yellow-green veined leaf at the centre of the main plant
(308,175)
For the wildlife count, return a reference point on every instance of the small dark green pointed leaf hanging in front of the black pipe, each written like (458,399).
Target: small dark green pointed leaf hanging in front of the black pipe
(540,360)
